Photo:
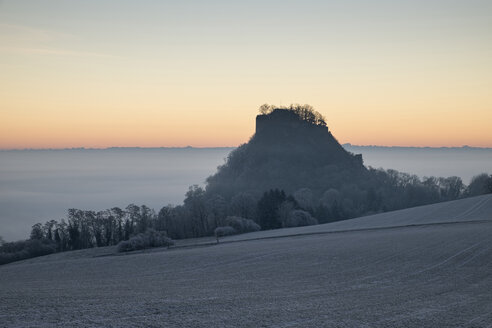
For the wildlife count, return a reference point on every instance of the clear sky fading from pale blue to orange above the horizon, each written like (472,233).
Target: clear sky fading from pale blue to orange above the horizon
(177,73)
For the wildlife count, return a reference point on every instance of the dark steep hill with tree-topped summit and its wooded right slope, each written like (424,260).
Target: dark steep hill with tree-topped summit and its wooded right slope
(292,150)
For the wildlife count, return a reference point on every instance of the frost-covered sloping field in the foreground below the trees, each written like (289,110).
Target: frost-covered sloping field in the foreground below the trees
(420,273)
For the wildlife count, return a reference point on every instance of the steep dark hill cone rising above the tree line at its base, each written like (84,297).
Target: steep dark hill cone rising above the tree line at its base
(287,152)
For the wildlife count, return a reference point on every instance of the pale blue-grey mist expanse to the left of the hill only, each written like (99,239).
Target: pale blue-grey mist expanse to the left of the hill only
(42,185)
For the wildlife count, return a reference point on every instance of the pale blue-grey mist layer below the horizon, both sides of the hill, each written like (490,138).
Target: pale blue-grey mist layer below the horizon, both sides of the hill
(40,185)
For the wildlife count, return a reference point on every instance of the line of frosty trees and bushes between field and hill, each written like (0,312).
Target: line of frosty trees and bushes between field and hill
(202,213)
